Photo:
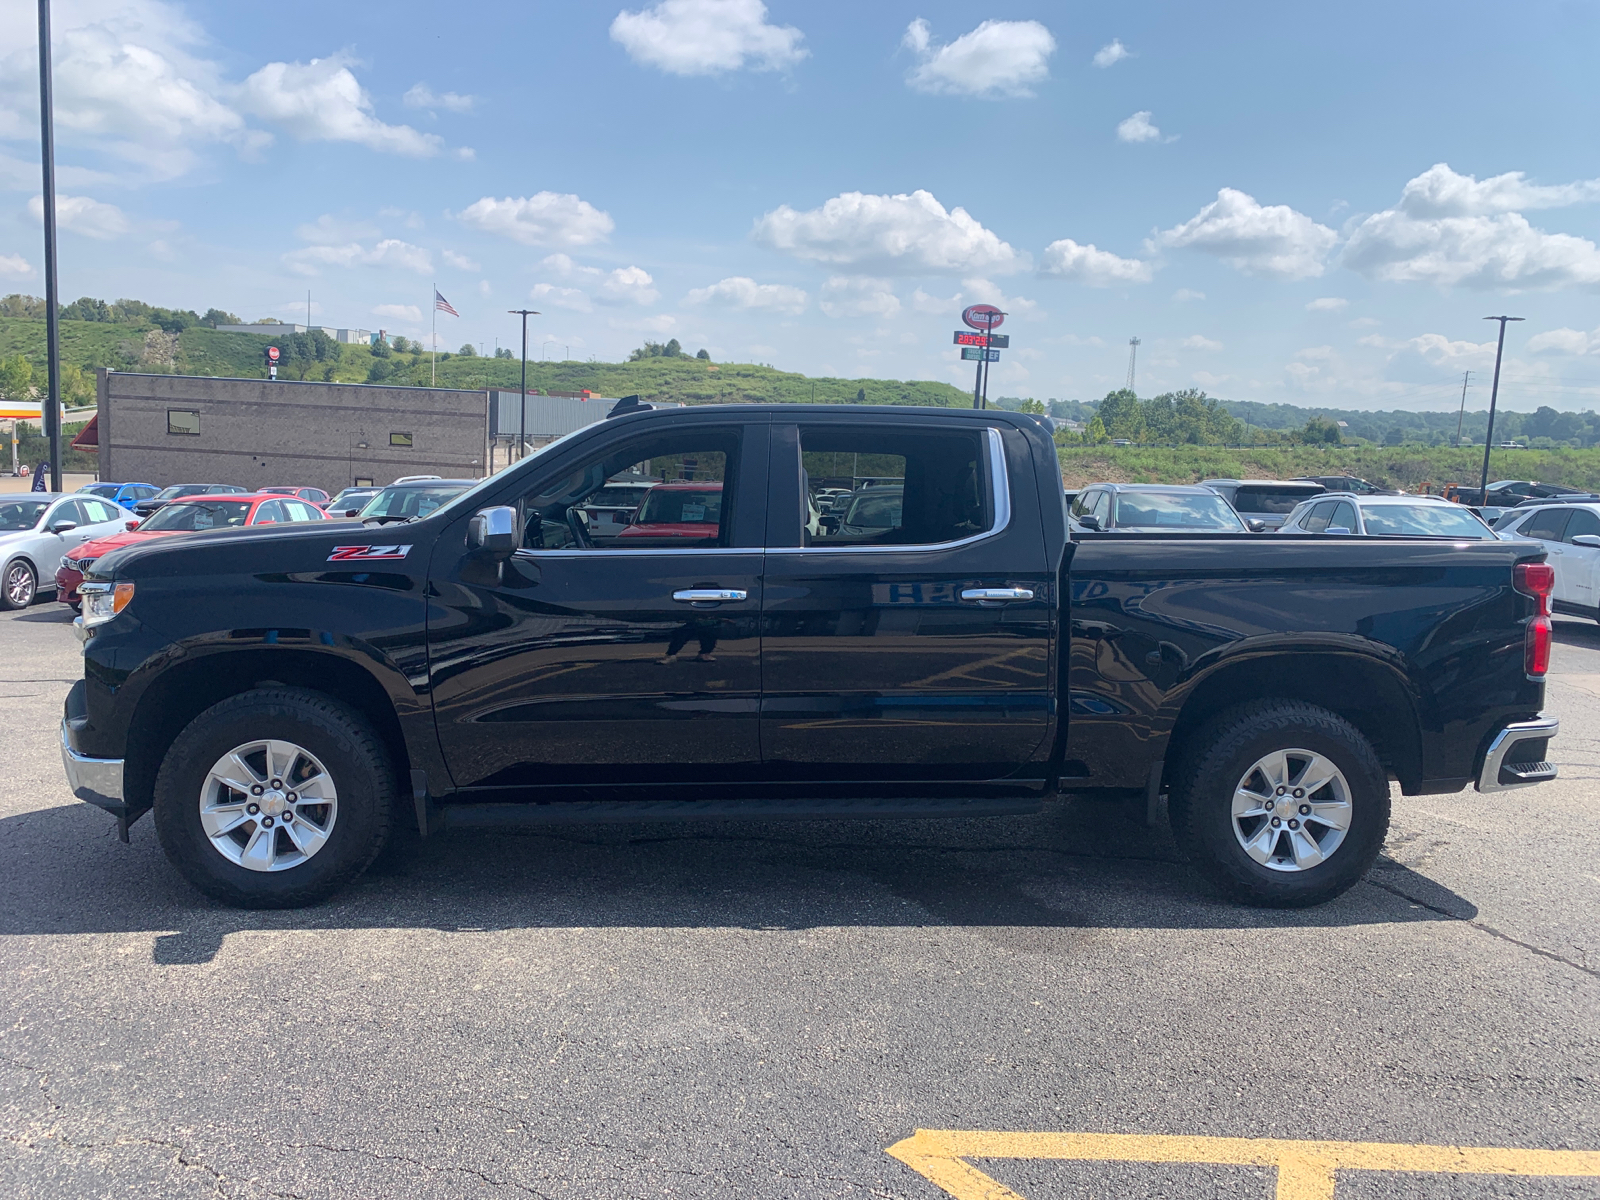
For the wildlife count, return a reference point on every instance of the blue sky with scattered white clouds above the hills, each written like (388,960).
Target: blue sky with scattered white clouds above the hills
(1286,204)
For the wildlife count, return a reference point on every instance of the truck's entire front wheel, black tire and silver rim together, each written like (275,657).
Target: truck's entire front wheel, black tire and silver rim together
(274,799)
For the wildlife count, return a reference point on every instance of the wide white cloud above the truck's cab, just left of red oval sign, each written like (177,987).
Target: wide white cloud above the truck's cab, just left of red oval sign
(897,234)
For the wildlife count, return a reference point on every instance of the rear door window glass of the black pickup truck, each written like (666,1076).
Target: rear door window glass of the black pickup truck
(908,487)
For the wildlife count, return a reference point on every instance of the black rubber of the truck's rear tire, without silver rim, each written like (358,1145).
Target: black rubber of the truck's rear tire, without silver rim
(1223,751)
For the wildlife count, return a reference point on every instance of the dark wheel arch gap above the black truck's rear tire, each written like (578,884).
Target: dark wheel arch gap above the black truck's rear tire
(1364,690)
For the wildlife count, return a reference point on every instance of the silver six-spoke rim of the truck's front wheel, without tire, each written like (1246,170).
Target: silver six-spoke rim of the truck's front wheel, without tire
(268,806)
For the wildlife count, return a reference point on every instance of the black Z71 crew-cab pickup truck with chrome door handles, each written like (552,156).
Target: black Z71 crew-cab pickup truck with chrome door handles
(292,700)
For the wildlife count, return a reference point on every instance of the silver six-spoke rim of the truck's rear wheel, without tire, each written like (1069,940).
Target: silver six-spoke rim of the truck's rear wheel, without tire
(1292,810)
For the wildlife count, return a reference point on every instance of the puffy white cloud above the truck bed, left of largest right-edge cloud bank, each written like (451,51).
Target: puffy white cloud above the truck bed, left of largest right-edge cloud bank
(1257,239)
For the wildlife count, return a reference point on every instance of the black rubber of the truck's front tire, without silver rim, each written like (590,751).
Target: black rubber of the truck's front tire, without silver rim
(354,758)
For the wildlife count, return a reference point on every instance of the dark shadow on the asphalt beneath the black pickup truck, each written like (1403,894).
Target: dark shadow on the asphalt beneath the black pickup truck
(1038,886)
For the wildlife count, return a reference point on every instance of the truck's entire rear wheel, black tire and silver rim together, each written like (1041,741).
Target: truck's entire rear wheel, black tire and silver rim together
(1281,804)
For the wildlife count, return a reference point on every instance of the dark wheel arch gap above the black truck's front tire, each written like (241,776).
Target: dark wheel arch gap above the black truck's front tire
(190,687)
